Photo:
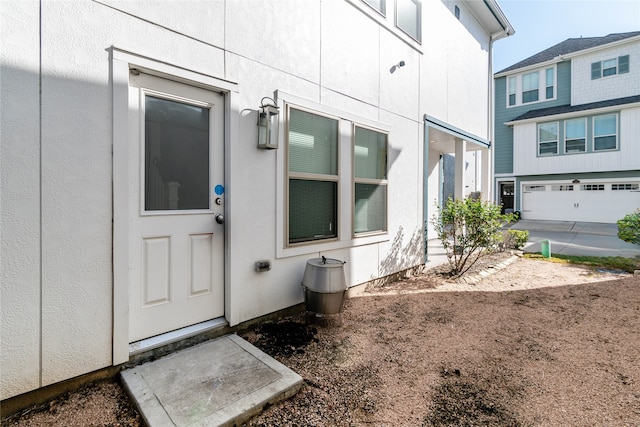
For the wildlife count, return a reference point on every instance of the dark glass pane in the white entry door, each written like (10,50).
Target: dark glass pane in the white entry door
(176,155)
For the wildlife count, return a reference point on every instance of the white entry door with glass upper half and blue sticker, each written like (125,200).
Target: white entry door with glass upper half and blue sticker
(176,194)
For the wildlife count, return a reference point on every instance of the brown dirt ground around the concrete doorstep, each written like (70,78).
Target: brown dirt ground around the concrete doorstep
(533,343)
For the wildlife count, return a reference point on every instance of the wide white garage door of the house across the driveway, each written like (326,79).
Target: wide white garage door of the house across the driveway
(592,202)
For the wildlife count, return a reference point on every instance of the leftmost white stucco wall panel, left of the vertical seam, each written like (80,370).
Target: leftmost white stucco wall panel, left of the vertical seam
(19,200)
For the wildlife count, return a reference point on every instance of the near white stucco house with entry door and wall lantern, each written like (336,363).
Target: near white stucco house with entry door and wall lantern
(136,201)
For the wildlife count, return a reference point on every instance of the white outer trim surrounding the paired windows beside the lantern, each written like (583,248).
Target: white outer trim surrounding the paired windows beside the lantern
(345,237)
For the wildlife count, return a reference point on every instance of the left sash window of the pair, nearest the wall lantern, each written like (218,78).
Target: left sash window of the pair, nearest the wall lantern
(312,177)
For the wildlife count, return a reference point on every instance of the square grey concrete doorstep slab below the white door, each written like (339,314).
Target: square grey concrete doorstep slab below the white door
(221,382)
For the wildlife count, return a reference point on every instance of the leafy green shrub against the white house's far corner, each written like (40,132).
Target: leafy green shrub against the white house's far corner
(468,229)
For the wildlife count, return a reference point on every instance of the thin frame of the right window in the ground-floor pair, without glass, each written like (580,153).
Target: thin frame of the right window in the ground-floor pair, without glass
(380,182)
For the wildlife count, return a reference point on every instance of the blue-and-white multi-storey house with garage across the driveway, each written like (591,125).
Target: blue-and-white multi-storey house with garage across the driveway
(567,131)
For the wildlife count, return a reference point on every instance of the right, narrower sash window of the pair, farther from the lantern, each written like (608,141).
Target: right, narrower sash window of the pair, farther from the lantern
(370,178)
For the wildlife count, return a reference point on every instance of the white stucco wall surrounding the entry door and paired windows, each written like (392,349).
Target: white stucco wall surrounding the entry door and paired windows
(57,162)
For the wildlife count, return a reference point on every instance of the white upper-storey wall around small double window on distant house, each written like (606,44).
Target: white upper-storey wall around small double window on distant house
(585,90)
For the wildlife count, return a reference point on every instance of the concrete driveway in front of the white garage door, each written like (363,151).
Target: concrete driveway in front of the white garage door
(576,238)
